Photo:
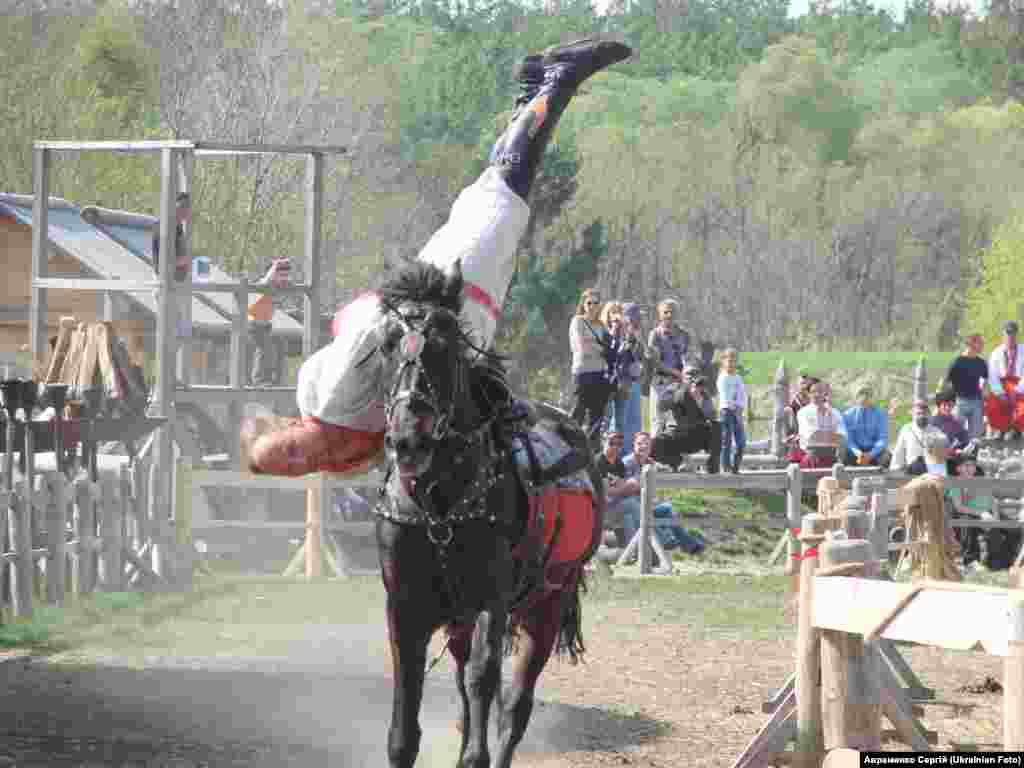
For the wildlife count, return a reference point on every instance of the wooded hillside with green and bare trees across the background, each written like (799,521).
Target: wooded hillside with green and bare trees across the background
(839,181)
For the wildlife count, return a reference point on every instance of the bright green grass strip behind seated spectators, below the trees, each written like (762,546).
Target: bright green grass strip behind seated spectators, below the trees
(761,367)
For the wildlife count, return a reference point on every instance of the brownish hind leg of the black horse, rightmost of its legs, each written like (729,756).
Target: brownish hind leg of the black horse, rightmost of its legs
(537,639)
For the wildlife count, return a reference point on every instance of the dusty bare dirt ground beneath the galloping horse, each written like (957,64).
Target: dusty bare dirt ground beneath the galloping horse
(654,693)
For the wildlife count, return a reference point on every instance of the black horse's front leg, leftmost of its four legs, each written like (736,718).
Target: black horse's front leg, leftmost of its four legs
(410,635)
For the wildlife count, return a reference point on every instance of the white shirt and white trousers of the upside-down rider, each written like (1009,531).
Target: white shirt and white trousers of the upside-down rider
(484,231)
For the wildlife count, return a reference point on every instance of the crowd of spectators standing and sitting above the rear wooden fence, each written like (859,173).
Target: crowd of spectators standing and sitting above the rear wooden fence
(615,364)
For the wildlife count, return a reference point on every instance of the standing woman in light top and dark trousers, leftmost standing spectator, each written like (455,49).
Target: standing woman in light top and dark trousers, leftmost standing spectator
(591,345)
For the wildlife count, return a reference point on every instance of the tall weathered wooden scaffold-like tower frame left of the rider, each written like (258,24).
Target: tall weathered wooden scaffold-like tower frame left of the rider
(178,158)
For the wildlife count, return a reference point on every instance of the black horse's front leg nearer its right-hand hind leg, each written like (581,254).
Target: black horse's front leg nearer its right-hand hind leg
(485,676)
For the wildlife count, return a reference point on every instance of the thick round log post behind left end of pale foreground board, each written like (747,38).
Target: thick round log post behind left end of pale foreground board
(851,700)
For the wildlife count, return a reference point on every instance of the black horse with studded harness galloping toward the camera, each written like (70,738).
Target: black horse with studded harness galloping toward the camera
(458,546)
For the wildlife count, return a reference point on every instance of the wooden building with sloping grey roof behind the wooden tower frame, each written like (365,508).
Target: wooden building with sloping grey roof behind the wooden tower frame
(111,245)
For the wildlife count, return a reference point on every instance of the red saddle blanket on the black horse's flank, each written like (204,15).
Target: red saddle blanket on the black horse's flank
(575,508)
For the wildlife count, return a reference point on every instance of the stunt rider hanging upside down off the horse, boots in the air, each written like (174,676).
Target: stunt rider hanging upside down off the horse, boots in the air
(342,389)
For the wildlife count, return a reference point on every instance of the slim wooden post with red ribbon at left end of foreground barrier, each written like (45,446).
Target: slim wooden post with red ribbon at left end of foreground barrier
(810,740)
